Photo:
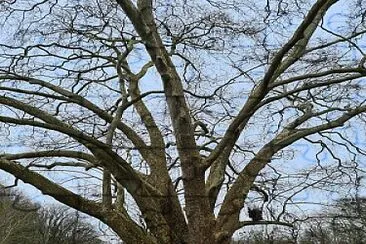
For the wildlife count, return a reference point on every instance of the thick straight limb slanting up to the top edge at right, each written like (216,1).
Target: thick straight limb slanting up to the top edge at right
(294,49)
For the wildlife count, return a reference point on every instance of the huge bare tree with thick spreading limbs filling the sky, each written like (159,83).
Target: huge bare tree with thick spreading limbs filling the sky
(182,112)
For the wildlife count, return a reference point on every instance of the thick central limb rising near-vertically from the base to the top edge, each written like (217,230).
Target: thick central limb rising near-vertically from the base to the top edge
(193,172)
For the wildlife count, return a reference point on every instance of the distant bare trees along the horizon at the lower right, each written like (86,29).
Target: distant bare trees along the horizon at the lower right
(342,223)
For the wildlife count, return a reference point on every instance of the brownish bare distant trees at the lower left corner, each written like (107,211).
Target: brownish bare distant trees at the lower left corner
(23,221)
